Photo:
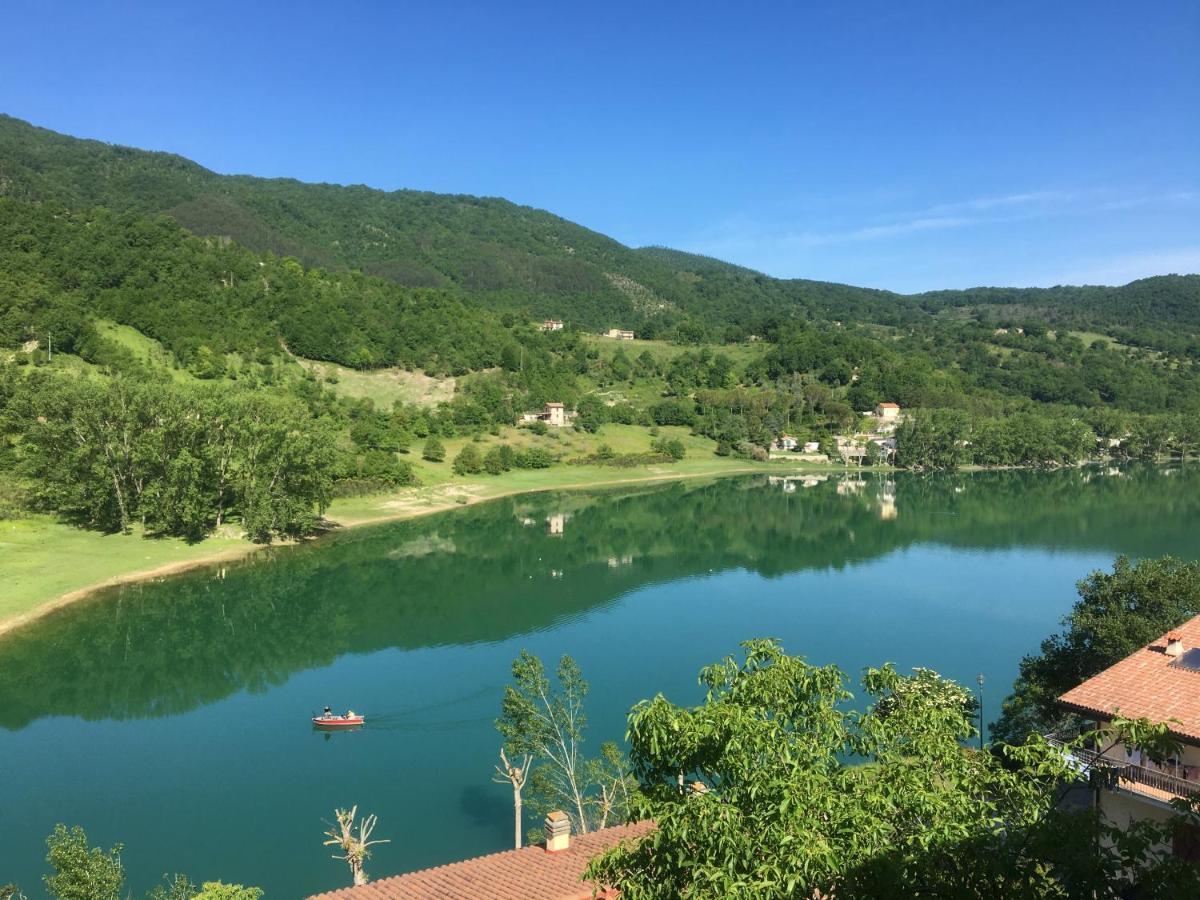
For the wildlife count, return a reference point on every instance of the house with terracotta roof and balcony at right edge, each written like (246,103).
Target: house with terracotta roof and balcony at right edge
(1160,682)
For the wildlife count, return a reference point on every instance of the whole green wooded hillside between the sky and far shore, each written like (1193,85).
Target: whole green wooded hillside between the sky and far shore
(236,279)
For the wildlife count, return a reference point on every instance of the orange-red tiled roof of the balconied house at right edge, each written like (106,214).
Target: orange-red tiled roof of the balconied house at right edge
(1145,685)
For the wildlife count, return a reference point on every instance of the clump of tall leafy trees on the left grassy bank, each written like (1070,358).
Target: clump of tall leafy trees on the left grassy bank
(178,460)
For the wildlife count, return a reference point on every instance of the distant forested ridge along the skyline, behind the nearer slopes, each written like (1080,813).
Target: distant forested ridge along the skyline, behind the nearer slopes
(518,259)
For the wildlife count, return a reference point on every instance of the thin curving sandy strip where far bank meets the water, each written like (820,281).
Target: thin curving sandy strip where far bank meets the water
(454,497)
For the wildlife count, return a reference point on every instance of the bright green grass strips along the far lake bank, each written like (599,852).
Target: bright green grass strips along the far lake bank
(49,565)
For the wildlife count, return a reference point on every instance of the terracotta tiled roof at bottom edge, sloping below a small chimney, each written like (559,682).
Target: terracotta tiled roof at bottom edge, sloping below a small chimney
(526,874)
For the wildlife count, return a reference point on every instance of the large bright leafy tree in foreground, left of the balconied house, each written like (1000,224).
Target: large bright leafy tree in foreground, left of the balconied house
(773,788)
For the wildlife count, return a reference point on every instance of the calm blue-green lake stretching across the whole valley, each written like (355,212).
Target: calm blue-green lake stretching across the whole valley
(173,717)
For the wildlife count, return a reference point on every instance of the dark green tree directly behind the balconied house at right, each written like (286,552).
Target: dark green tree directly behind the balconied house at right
(1117,614)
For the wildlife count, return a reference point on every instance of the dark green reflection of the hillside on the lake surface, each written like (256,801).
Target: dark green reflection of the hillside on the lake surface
(512,567)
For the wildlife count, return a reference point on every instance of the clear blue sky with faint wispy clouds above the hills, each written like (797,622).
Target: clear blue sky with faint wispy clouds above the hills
(896,145)
